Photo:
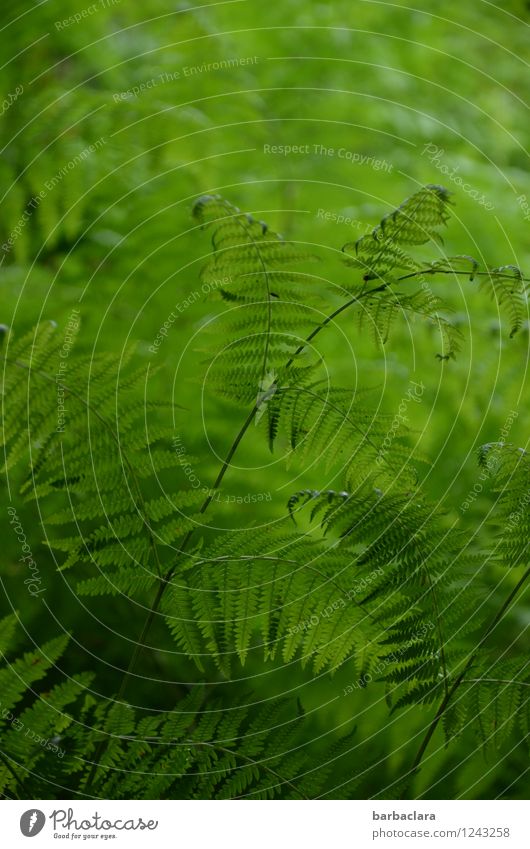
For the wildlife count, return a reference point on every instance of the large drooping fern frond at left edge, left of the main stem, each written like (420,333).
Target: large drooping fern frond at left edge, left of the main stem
(95,474)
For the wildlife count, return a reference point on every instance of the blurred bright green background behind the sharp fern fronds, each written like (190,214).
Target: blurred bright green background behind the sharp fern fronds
(131,111)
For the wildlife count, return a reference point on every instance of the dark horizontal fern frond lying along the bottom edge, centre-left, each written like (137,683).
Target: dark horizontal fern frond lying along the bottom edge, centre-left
(192,752)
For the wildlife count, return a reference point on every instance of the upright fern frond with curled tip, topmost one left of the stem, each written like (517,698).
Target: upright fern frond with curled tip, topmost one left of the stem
(271,314)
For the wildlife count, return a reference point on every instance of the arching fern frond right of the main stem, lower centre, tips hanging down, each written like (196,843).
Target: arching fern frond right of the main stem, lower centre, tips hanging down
(262,593)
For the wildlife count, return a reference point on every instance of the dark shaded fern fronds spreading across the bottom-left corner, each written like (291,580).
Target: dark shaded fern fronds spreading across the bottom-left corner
(183,753)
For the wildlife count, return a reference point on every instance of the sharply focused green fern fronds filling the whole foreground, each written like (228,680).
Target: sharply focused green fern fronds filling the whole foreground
(377,576)
